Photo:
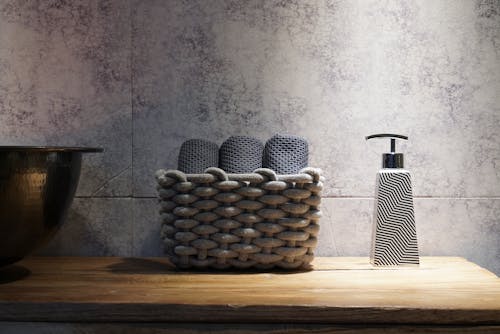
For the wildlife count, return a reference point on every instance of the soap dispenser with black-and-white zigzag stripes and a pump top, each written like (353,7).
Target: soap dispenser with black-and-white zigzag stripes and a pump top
(394,240)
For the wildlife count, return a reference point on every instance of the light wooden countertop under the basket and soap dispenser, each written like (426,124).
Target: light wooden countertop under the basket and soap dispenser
(143,295)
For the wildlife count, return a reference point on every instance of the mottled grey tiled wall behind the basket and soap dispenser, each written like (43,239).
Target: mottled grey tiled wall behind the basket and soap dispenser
(140,77)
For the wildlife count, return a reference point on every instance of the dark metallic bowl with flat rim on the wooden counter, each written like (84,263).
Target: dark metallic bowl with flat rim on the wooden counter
(37,186)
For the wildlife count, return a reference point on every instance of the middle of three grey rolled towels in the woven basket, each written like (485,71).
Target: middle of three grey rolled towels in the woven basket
(240,154)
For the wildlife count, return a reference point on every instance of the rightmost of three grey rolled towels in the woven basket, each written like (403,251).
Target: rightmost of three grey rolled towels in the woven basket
(286,154)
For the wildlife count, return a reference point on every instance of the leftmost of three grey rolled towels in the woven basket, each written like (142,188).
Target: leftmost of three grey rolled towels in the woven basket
(196,155)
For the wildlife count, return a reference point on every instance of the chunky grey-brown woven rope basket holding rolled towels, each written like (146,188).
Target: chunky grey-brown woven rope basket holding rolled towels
(236,221)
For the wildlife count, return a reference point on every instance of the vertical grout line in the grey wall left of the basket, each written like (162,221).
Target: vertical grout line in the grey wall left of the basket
(131,62)
